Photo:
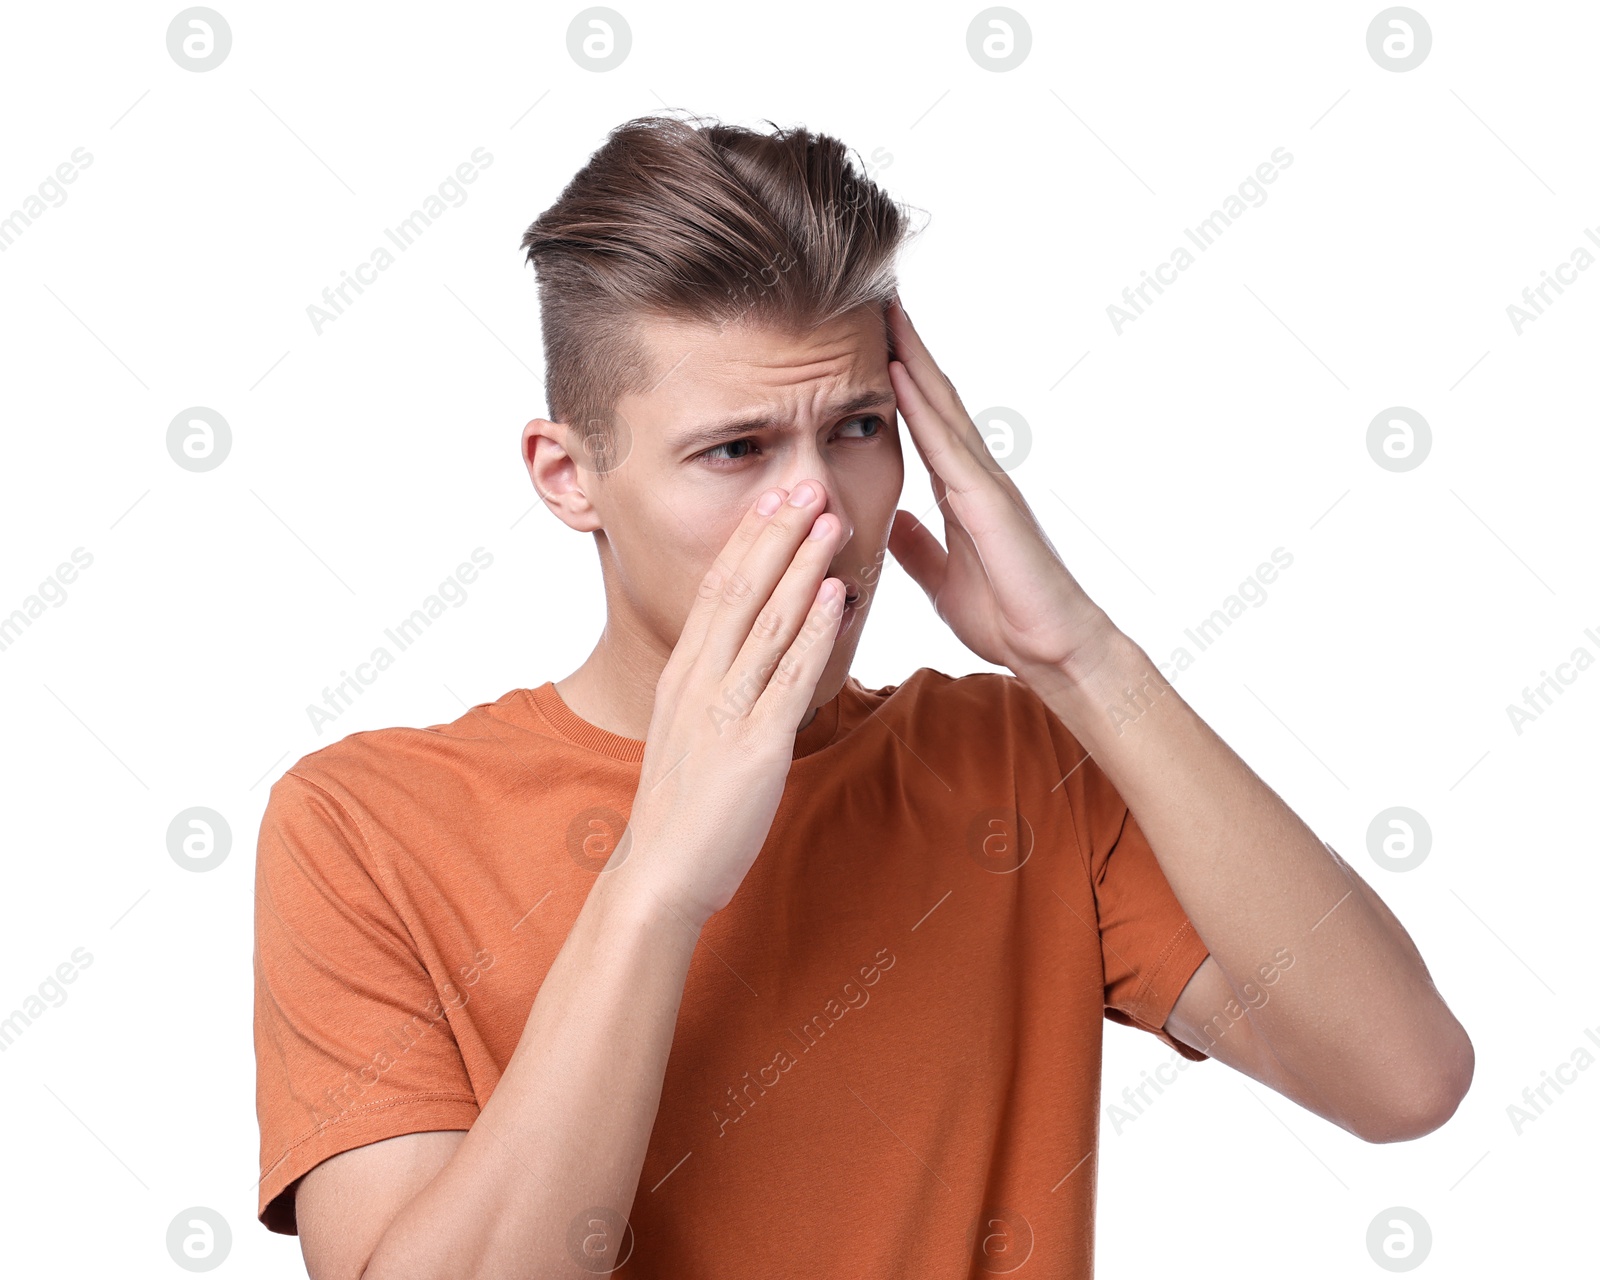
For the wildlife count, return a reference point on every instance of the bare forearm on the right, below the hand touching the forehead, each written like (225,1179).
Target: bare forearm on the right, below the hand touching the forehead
(1358,1012)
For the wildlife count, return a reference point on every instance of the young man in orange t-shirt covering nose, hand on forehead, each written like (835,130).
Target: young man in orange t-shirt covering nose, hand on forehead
(708,961)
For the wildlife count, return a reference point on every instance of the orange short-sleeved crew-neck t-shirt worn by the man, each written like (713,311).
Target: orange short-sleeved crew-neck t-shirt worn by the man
(889,1054)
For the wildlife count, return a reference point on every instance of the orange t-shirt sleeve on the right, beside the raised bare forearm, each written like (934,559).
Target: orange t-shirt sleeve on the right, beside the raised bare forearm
(1148,943)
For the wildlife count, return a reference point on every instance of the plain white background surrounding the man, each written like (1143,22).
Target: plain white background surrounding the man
(1230,420)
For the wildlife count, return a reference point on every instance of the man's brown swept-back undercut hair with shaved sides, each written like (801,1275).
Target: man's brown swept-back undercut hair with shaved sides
(695,220)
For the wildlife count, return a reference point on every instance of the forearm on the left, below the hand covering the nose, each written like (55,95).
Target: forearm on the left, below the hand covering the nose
(569,1122)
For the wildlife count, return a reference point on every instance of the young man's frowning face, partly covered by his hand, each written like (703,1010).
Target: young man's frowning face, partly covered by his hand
(783,409)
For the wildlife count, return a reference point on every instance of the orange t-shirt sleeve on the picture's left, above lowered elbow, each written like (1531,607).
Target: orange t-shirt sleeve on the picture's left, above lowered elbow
(351,1033)
